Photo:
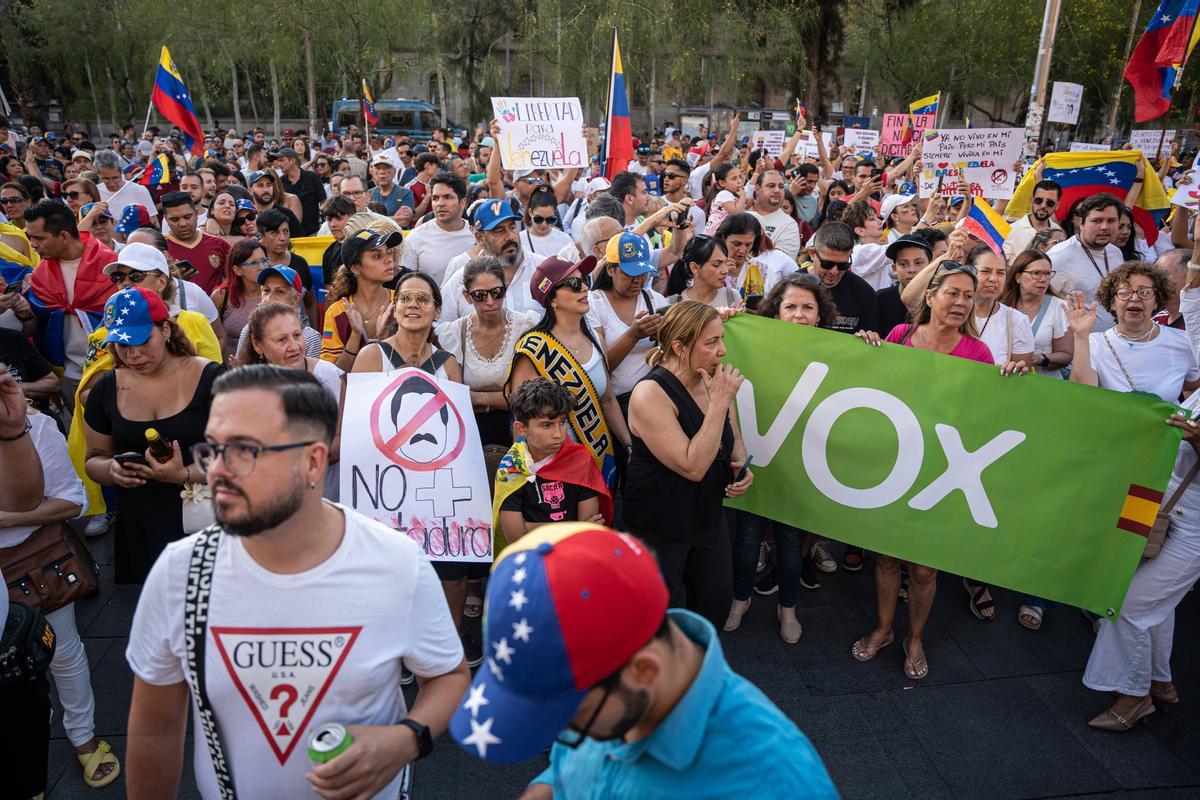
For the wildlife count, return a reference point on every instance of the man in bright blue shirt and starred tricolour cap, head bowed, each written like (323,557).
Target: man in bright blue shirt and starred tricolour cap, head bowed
(638,701)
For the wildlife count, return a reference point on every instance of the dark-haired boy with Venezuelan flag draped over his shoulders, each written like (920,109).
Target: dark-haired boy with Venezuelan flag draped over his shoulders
(547,477)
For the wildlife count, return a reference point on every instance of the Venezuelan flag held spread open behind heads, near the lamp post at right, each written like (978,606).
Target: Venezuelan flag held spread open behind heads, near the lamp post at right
(1083,175)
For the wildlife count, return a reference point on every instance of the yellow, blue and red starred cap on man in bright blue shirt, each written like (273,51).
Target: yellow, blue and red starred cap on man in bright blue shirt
(567,606)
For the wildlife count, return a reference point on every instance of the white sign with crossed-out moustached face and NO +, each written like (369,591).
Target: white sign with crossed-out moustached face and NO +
(412,460)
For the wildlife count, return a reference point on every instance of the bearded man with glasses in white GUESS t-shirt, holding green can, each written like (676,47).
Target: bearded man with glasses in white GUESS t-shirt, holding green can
(310,612)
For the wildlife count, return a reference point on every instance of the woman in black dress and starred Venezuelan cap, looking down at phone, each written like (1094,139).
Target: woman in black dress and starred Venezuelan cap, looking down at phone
(158,383)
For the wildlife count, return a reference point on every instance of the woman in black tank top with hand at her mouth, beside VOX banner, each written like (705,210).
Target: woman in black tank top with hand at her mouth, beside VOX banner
(686,455)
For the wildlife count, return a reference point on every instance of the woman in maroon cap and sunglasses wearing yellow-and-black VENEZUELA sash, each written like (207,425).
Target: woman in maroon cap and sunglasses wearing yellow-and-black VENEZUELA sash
(562,348)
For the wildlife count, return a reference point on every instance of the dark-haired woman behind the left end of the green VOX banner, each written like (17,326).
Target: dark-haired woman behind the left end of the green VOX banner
(800,299)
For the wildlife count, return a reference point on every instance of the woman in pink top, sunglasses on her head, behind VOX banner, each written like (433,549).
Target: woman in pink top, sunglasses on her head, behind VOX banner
(945,323)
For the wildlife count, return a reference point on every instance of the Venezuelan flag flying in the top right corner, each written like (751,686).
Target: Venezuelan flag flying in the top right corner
(1161,51)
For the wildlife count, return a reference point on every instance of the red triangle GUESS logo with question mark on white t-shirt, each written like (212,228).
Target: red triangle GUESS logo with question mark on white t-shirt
(284,673)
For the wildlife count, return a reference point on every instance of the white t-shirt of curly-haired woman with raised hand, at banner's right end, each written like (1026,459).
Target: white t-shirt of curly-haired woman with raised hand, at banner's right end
(1160,366)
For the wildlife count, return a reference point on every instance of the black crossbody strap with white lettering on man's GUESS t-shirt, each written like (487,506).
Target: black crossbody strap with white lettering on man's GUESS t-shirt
(196,628)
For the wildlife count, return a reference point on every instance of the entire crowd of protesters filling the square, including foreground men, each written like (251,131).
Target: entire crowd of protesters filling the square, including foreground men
(586,316)
